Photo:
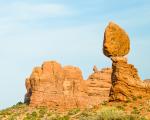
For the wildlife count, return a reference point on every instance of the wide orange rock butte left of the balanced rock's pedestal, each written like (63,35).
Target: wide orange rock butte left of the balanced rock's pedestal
(64,88)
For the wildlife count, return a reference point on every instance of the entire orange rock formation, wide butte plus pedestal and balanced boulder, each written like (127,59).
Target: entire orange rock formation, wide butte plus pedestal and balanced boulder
(63,88)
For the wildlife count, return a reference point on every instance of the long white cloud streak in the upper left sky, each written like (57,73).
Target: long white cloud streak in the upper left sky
(26,11)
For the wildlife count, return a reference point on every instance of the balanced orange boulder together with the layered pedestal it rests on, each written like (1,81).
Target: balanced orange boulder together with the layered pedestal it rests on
(126,82)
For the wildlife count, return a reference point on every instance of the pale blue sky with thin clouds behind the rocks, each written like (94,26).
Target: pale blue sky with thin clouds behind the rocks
(70,32)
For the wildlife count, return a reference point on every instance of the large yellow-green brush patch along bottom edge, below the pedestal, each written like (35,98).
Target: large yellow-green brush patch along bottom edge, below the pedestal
(109,113)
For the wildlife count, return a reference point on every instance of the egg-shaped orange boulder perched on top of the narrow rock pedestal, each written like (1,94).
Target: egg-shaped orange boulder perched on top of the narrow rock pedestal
(116,41)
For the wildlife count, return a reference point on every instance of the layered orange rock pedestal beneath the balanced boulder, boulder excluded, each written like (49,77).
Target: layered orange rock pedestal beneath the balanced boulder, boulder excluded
(126,82)
